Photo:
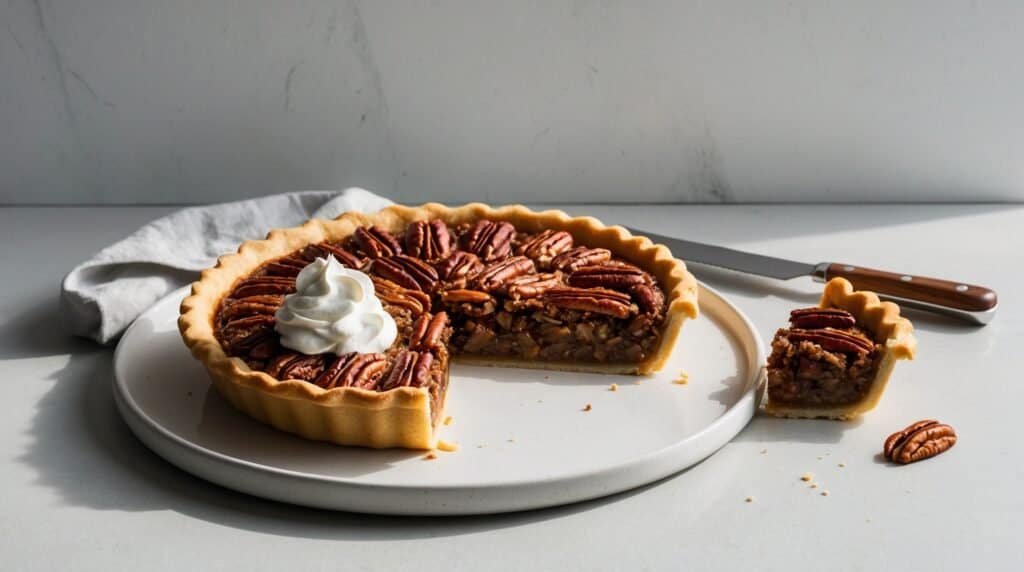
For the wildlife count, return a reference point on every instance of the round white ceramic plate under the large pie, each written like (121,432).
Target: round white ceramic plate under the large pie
(525,441)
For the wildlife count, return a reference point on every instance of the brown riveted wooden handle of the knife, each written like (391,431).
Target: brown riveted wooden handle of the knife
(922,290)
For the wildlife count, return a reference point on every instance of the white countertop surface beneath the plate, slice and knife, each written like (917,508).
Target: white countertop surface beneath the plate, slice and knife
(79,492)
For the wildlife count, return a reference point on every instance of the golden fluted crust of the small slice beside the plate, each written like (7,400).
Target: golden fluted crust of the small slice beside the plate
(893,332)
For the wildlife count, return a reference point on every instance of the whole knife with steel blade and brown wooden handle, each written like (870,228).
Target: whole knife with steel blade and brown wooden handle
(969,302)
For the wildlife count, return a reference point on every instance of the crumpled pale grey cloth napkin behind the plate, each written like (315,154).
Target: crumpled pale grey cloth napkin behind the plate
(104,295)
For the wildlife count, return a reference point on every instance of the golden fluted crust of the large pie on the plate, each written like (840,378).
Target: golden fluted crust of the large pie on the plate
(401,417)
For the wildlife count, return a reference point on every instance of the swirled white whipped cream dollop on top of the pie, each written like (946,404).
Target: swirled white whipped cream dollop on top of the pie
(334,310)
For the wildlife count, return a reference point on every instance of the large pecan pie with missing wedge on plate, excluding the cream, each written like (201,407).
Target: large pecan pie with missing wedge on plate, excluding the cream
(500,287)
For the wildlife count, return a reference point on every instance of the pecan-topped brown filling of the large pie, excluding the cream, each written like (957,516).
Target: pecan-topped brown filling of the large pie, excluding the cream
(483,289)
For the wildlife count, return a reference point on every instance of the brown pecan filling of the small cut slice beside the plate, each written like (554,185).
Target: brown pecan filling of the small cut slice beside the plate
(824,360)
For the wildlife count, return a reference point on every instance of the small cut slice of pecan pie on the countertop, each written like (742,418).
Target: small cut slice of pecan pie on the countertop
(835,360)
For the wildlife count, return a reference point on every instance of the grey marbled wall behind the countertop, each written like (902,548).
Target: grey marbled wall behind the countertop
(176,101)
